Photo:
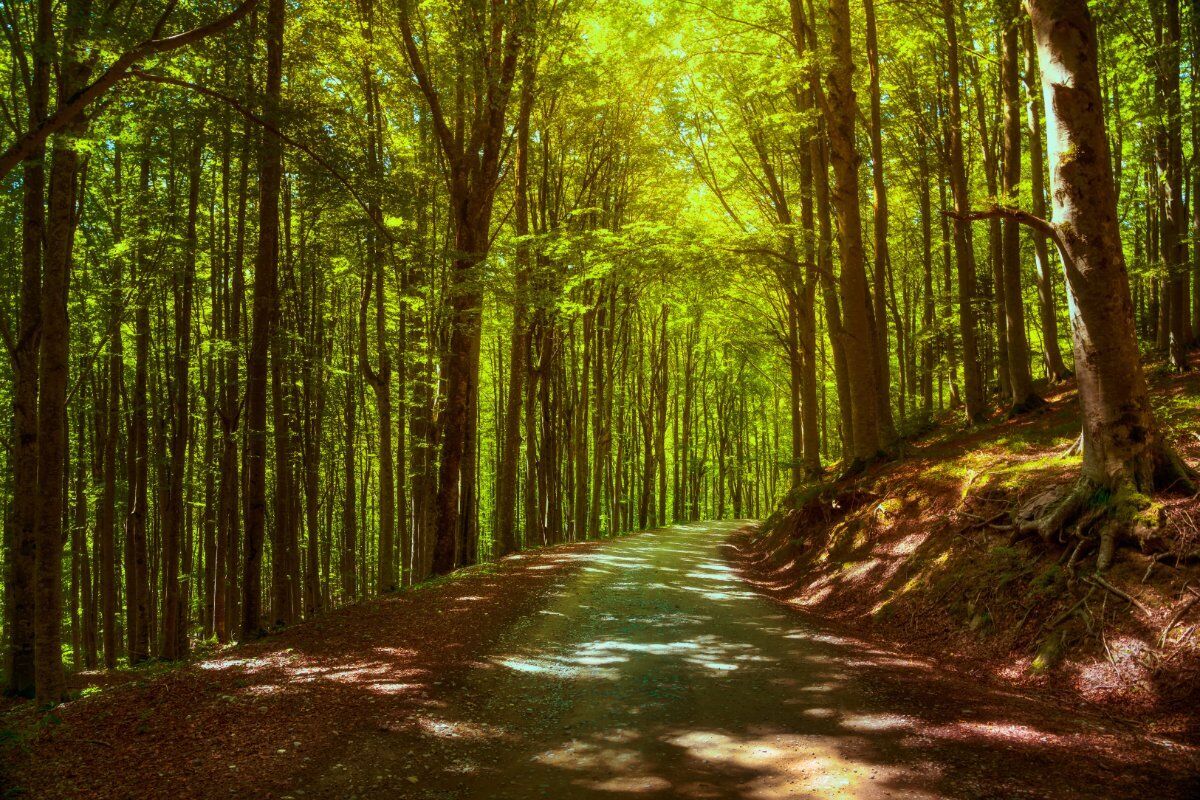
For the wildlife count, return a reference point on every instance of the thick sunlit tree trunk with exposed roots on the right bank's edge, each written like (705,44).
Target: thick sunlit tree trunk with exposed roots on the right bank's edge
(1124,448)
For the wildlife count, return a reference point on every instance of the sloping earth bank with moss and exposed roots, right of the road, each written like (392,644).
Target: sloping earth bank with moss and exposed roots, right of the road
(917,552)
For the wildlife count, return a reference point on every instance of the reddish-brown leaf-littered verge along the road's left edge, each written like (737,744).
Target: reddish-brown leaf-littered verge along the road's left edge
(249,721)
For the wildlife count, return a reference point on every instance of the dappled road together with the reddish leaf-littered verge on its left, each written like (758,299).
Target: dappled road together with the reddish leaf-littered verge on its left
(638,667)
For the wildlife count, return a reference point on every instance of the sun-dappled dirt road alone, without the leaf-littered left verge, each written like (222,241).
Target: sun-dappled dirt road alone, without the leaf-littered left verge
(653,671)
